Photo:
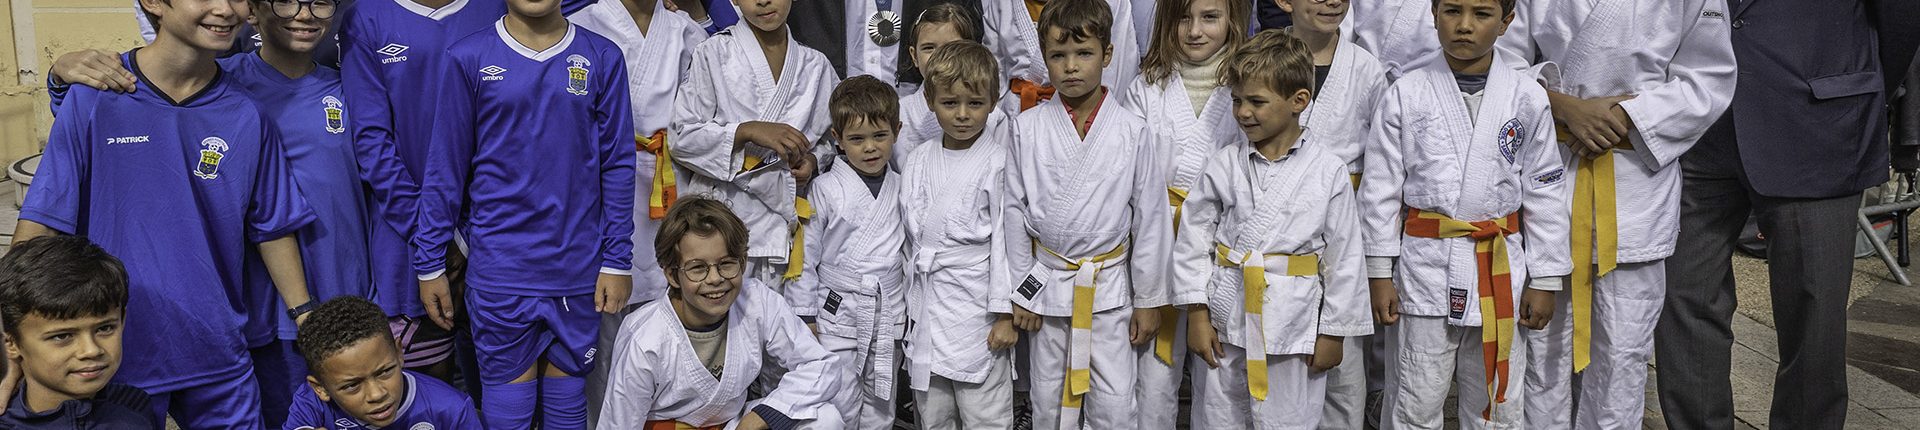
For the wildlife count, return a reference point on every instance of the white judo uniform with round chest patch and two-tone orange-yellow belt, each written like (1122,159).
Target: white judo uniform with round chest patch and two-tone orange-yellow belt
(1481,158)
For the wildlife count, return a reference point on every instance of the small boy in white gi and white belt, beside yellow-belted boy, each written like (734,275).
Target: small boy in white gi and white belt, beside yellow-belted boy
(959,345)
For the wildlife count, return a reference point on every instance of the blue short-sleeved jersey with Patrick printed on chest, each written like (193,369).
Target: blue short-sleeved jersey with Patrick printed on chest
(181,191)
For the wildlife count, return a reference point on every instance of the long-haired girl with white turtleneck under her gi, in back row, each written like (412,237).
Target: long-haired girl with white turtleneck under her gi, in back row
(1180,93)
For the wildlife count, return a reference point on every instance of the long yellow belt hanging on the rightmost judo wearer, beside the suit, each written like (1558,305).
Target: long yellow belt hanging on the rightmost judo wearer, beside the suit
(1596,243)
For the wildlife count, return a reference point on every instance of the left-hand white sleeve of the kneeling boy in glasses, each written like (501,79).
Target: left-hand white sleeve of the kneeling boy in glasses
(631,383)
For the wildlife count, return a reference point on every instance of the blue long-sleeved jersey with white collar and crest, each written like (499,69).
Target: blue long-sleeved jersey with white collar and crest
(535,164)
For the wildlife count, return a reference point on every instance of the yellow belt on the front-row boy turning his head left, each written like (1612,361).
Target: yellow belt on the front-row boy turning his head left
(1255,270)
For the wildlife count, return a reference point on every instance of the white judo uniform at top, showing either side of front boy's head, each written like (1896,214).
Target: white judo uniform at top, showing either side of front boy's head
(1015,37)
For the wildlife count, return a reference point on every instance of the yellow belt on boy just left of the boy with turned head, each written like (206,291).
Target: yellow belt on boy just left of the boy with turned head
(1080,339)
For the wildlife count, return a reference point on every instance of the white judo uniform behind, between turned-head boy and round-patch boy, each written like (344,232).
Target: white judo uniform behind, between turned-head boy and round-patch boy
(1337,122)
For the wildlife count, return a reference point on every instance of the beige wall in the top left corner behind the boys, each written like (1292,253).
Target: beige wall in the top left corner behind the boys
(32,36)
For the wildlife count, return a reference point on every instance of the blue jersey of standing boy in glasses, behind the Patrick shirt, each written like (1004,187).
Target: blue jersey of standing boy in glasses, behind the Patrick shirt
(310,112)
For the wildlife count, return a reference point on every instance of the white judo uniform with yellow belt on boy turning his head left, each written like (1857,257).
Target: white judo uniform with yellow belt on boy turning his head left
(1293,222)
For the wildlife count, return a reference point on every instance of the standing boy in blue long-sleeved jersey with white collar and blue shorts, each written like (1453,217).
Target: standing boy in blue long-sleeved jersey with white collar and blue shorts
(533,162)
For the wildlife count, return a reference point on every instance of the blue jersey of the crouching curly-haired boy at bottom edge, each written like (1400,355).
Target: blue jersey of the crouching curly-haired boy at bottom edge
(427,406)
